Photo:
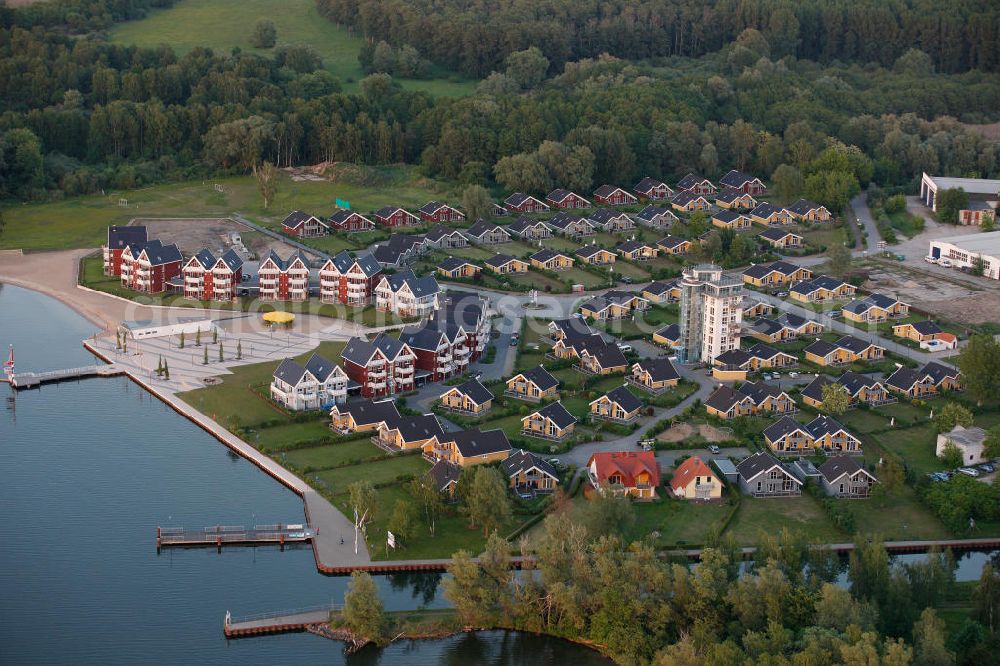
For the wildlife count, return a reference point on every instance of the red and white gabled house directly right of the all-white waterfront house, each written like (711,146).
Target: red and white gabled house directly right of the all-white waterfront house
(384,366)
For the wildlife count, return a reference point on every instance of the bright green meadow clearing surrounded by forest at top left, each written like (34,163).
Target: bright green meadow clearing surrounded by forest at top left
(226,24)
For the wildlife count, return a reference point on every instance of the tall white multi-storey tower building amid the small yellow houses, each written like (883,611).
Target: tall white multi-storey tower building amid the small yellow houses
(711,316)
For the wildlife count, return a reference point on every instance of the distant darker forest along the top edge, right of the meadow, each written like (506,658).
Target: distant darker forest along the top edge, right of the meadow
(475,37)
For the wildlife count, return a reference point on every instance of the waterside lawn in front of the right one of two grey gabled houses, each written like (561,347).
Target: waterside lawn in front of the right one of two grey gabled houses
(899,517)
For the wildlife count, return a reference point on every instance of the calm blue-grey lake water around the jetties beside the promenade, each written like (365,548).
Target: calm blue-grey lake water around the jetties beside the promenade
(89,469)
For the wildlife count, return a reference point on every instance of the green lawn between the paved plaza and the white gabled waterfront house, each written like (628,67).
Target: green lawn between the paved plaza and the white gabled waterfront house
(233,403)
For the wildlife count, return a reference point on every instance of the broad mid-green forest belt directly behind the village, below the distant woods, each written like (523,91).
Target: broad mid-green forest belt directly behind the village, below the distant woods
(80,114)
